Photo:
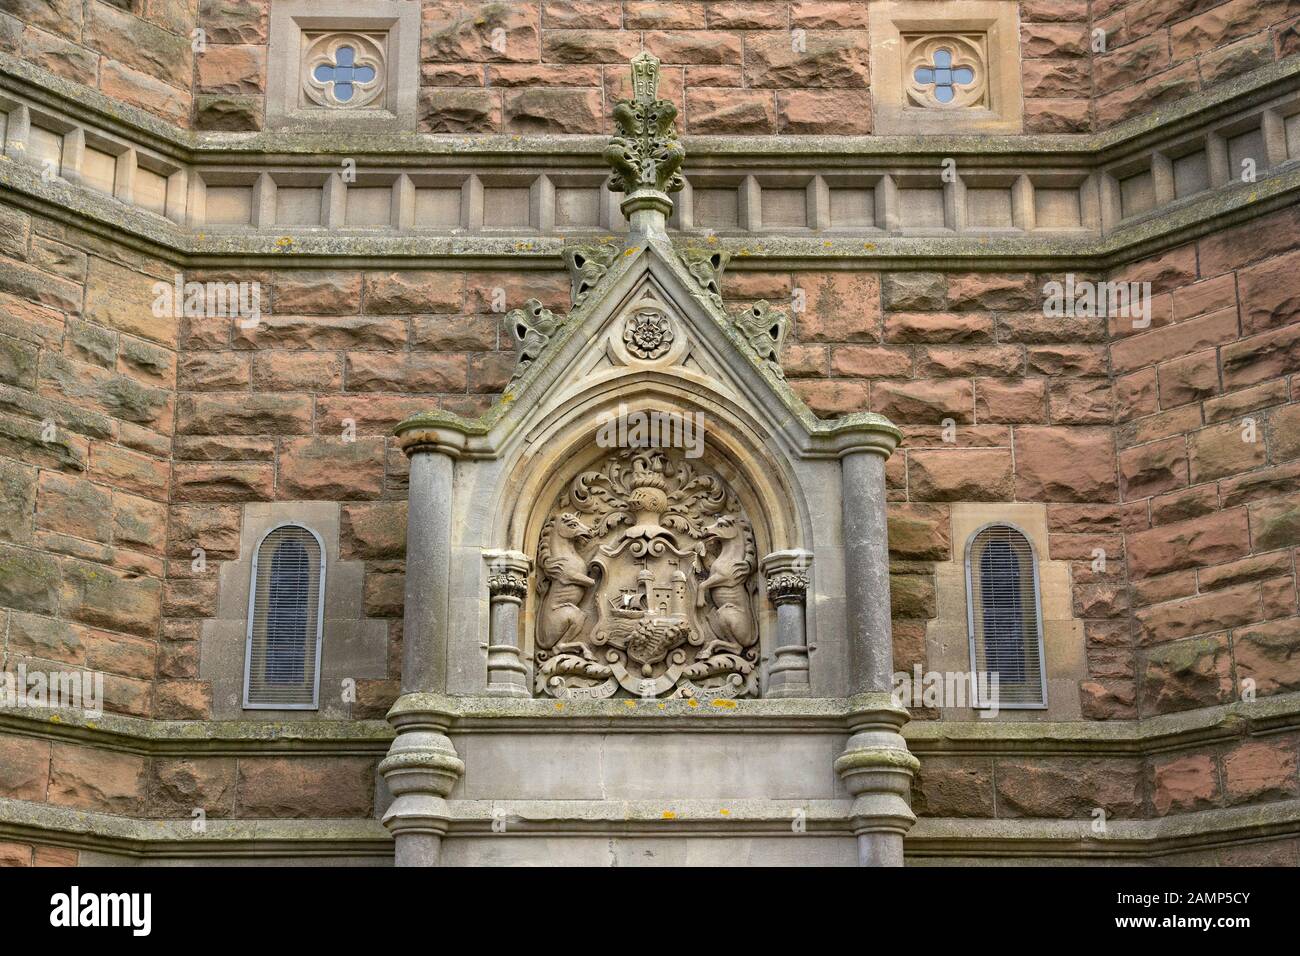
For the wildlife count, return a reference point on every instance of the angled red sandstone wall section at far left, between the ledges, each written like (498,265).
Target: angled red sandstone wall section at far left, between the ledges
(88,406)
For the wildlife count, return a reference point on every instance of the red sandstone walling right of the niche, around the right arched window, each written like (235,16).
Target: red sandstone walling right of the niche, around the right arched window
(1175,449)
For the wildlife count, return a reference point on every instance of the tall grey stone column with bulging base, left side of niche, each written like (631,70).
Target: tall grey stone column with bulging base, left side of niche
(422,767)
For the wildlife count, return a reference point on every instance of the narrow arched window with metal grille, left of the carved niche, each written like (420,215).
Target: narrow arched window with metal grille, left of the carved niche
(287,604)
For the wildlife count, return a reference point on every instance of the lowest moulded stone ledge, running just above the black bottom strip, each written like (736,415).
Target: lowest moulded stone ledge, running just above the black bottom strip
(930,838)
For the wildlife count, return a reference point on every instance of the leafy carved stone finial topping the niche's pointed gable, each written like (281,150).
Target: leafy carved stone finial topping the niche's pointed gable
(645,153)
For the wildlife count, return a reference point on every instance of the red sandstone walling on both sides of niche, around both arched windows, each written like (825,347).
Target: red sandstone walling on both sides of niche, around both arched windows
(1133,440)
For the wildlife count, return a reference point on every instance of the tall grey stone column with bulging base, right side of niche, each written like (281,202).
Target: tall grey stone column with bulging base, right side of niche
(876,767)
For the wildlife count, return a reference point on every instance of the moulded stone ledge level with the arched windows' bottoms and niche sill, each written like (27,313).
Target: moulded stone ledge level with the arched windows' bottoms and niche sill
(1152,736)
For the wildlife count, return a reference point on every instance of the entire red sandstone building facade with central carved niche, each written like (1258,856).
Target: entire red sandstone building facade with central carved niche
(320,272)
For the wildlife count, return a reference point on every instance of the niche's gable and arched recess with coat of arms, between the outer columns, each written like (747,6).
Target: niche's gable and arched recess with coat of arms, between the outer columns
(642,524)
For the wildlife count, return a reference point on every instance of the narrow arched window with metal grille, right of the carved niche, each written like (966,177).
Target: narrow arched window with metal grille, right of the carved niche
(1006,620)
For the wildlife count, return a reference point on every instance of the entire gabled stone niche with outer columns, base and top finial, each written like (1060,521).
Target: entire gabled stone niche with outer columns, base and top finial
(648,577)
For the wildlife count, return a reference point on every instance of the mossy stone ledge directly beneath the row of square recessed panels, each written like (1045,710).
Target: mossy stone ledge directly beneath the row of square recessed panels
(1176,226)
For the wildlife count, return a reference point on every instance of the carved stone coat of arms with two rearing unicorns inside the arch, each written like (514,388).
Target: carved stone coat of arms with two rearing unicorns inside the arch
(647,578)
